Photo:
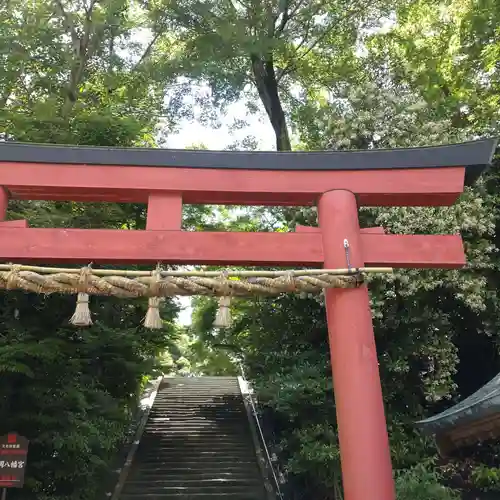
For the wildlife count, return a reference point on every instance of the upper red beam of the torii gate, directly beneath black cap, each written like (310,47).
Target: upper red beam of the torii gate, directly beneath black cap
(398,187)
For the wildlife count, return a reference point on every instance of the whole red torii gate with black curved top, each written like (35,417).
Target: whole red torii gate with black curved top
(338,182)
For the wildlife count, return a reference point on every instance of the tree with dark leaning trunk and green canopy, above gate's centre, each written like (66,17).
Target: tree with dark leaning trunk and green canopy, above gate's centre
(273,48)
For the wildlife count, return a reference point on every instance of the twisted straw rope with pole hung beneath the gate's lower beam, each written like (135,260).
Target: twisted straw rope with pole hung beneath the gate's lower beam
(132,284)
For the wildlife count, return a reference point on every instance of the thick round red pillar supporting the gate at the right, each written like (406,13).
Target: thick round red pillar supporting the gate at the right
(364,444)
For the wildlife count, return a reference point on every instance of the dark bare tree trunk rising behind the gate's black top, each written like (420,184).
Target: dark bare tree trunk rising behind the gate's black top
(267,86)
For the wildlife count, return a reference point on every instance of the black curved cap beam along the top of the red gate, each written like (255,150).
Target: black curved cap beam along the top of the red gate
(476,156)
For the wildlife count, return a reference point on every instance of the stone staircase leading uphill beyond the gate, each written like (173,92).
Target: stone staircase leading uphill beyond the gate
(197,445)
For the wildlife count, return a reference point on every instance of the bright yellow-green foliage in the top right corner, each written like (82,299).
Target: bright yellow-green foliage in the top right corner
(449,53)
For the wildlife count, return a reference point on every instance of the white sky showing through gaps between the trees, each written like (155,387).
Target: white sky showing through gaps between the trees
(194,133)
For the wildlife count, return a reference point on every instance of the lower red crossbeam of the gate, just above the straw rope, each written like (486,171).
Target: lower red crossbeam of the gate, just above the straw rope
(222,248)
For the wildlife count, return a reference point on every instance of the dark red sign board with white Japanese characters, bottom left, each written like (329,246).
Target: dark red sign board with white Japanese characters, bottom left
(13,458)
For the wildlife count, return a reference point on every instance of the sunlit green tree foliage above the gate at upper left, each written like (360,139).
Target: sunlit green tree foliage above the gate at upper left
(65,59)
